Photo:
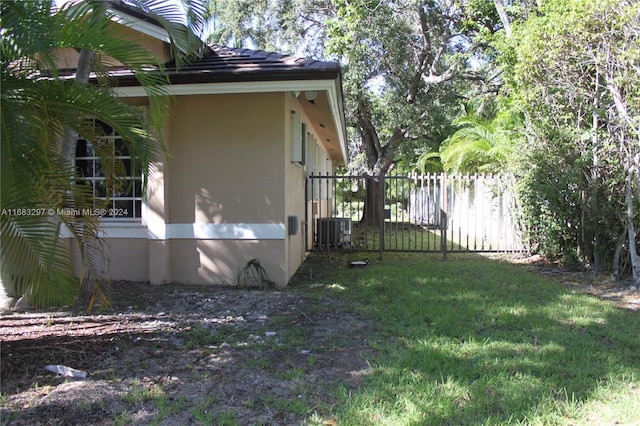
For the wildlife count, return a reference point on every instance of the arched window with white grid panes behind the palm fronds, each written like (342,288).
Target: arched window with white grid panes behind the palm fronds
(124,202)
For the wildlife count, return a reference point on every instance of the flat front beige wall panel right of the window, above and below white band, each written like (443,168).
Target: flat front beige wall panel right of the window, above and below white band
(226,168)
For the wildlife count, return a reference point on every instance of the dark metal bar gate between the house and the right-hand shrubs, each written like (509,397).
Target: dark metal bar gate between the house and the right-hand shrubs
(422,213)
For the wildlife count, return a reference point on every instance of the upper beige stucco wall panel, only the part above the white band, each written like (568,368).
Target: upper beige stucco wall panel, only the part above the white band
(227,152)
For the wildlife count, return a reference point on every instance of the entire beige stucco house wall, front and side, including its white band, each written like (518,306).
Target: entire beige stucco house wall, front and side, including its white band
(220,196)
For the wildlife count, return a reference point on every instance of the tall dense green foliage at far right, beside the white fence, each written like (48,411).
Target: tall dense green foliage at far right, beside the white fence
(562,68)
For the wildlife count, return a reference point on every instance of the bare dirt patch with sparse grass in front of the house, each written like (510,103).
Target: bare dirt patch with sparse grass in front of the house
(182,355)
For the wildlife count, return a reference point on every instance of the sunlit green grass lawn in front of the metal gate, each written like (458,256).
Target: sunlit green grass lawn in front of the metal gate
(473,341)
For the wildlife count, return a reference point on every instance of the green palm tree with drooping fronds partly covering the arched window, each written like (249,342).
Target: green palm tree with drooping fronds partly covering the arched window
(39,106)
